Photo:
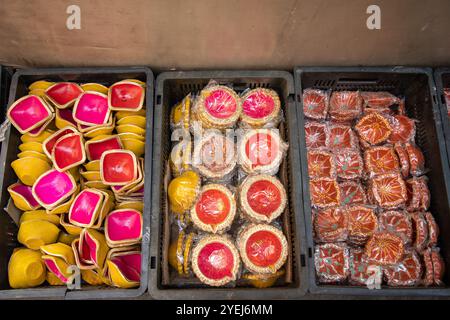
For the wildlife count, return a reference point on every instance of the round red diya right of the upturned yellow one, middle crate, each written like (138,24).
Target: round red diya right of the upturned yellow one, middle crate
(214,210)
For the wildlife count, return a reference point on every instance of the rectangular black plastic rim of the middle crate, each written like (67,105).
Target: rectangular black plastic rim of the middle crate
(227,293)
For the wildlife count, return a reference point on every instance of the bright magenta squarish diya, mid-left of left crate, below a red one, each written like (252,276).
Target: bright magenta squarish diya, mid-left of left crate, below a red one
(53,187)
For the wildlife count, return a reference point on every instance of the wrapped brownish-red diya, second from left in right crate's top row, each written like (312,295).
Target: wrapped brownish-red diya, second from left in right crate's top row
(345,105)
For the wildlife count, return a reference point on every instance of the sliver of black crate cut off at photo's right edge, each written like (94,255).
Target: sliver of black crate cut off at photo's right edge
(442,80)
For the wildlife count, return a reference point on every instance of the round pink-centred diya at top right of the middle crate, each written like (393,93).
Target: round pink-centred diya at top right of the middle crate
(260,108)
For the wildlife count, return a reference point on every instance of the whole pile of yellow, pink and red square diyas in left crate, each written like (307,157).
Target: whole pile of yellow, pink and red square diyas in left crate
(80,184)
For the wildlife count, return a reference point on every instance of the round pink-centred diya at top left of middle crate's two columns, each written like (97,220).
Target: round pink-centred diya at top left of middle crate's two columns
(217,107)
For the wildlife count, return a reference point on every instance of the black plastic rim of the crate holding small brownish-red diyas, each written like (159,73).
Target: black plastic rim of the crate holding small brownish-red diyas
(314,288)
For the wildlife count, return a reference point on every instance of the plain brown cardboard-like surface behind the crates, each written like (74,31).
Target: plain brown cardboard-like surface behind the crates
(212,34)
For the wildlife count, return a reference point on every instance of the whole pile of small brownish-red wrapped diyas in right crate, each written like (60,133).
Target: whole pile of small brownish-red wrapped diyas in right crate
(368,191)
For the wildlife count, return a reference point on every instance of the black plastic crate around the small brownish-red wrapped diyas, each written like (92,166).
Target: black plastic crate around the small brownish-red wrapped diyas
(417,87)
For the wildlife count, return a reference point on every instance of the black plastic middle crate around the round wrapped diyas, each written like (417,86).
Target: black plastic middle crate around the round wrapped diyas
(171,88)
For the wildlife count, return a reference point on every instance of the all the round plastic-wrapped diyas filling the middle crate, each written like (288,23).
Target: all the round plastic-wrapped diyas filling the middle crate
(225,197)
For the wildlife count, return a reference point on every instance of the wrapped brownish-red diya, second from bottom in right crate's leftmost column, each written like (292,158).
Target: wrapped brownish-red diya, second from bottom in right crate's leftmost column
(330,225)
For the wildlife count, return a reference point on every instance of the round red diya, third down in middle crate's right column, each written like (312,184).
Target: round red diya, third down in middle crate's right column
(262,198)
